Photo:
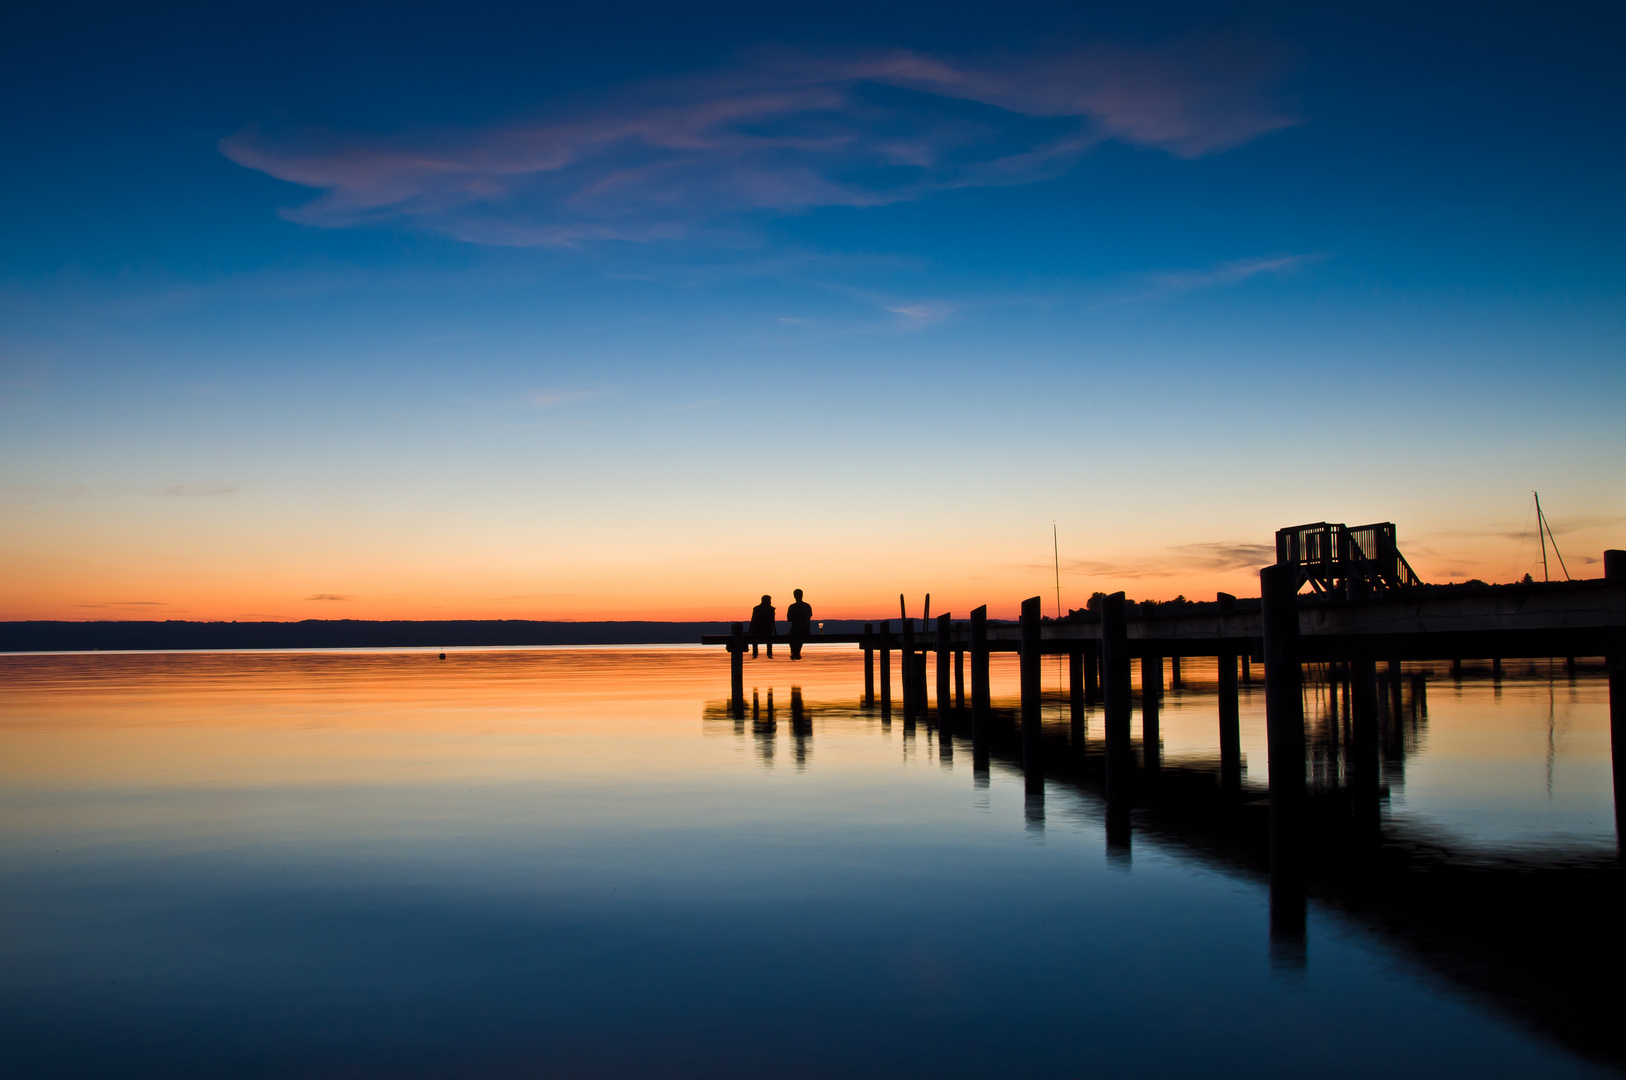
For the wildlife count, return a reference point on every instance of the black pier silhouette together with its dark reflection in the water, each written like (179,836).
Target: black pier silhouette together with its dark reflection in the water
(1537,941)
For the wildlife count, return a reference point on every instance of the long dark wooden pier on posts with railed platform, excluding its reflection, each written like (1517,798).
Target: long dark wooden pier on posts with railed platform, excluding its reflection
(1365,614)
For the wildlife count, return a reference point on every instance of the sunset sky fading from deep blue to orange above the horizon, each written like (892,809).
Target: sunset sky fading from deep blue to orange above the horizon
(643,311)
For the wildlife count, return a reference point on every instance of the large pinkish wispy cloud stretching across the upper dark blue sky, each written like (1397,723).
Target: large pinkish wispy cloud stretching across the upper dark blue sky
(781,133)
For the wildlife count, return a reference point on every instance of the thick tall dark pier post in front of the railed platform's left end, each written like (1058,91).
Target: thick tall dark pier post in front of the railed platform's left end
(1279,588)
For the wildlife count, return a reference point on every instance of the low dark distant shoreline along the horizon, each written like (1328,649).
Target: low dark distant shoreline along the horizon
(137,637)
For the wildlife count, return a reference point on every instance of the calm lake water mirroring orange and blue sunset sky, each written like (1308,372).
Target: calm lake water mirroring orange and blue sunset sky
(576,863)
